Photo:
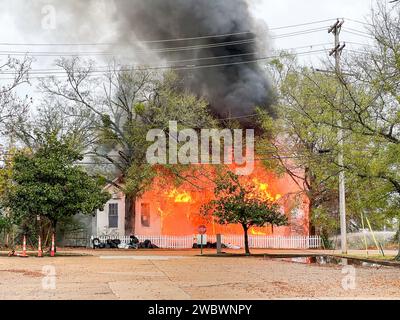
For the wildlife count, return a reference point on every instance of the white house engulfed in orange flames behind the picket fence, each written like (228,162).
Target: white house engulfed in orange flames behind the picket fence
(176,210)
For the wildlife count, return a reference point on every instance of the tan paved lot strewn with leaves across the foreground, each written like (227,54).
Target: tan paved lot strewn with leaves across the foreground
(183,275)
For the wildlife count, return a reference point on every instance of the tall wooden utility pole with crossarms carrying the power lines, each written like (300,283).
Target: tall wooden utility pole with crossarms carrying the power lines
(337,50)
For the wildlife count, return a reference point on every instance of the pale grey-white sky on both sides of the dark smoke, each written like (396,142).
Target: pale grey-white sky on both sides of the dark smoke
(22,22)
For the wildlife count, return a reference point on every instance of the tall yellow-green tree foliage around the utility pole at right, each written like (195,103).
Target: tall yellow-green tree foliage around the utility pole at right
(305,141)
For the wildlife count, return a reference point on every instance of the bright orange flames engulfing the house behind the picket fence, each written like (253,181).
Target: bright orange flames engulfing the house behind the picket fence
(178,208)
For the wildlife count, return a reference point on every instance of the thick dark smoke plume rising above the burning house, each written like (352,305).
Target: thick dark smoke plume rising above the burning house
(234,87)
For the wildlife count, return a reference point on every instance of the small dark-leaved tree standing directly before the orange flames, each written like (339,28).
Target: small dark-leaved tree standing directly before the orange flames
(235,203)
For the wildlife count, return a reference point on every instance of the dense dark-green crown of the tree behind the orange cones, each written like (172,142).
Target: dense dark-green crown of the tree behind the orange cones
(48,184)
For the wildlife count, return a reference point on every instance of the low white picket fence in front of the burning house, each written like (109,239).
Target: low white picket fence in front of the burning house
(255,242)
